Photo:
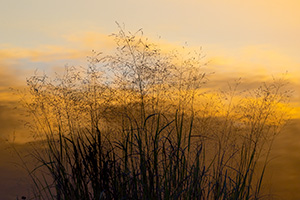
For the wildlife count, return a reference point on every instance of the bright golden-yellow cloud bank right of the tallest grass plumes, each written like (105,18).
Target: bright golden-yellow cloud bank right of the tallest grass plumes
(256,60)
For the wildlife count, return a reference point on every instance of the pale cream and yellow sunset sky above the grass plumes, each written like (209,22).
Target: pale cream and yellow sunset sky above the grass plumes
(254,40)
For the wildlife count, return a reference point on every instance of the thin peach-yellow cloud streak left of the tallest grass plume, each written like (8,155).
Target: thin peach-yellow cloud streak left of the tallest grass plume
(77,46)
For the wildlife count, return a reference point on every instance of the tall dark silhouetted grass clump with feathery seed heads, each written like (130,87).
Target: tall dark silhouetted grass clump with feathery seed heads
(137,125)
